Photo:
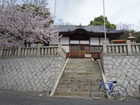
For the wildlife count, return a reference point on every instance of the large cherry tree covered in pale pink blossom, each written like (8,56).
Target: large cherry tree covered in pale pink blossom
(27,23)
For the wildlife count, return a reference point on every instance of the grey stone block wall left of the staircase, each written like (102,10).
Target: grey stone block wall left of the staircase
(32,74)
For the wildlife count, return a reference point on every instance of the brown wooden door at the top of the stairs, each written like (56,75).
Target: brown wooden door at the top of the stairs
(79,51)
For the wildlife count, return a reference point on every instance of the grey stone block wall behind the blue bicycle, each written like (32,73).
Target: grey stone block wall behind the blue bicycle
(125,70)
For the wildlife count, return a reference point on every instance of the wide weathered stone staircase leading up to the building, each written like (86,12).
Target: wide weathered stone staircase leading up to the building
(79,78)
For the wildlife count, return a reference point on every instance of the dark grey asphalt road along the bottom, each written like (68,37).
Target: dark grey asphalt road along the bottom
(13,98)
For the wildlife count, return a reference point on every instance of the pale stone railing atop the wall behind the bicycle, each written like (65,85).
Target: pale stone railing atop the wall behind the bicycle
(129,48)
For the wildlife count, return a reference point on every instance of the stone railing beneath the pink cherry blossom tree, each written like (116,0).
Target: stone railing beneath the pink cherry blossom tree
(32,51)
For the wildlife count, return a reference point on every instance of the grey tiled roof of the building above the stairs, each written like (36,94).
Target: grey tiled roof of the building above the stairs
(96,29)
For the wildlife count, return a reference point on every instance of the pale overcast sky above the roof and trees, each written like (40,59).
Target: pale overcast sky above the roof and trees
(82,11)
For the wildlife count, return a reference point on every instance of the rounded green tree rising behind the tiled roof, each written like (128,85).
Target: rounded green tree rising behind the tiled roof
(100,21)
